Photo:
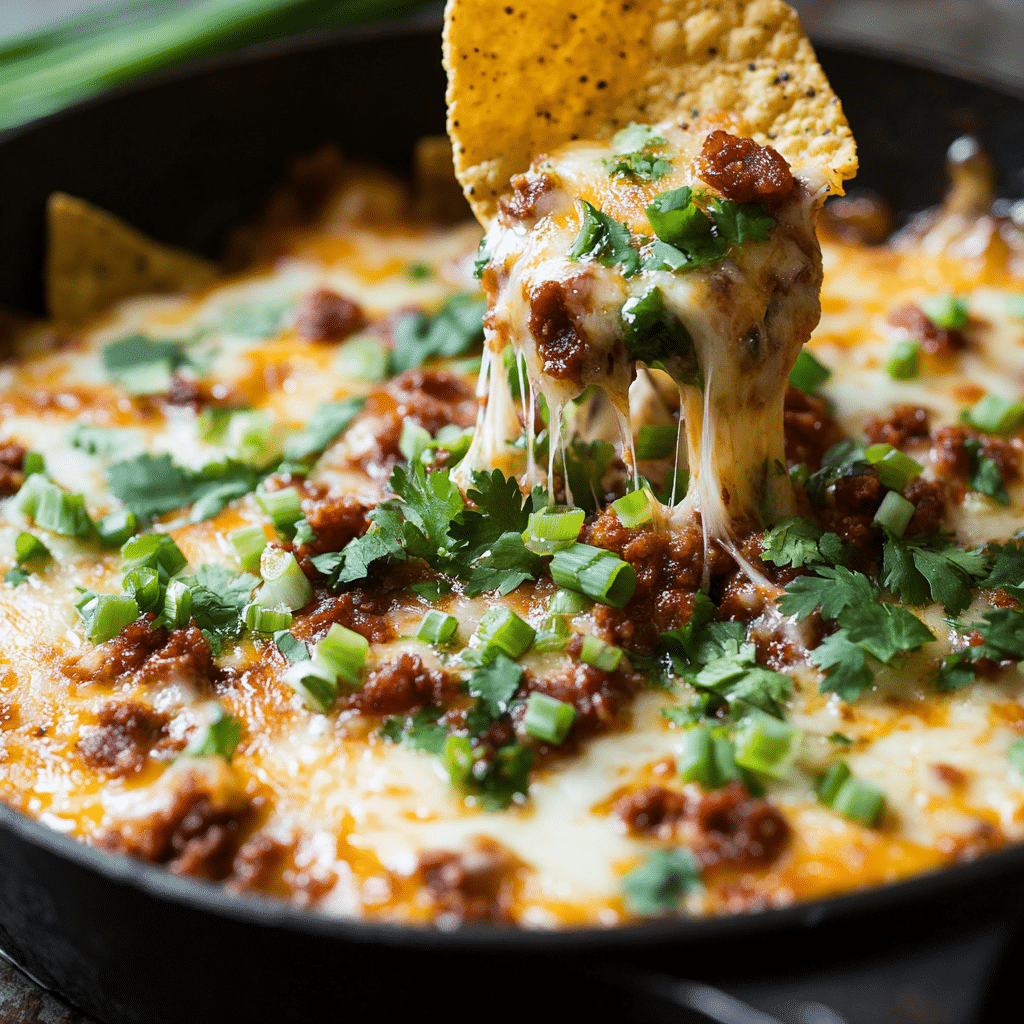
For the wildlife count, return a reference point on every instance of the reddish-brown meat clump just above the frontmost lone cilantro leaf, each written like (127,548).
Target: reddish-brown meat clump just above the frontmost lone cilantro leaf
(728,828)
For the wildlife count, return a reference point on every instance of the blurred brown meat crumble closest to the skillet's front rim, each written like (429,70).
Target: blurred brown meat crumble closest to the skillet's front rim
(476,885)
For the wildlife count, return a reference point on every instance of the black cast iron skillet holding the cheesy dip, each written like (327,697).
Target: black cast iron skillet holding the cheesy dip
(185,157)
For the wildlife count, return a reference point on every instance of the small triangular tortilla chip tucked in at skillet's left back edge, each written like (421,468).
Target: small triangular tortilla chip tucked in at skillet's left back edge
(95,260)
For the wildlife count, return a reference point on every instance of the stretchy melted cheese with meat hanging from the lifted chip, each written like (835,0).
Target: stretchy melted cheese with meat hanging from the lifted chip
(745,319)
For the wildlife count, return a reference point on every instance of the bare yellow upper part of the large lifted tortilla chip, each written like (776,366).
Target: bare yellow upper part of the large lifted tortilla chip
(529,76)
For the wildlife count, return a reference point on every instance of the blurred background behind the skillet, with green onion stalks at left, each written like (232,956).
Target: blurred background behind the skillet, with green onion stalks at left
(54,53)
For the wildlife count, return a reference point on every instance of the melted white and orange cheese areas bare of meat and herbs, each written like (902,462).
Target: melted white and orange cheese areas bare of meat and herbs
(356,813)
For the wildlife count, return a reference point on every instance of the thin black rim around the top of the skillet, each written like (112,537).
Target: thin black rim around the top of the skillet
(203,898)
